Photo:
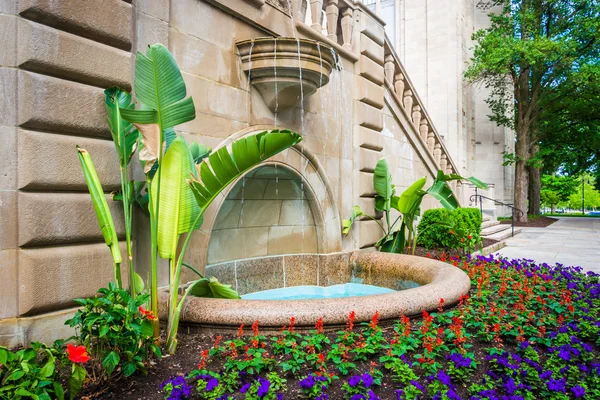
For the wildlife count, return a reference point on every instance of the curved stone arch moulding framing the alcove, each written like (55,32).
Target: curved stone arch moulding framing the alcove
(304,164)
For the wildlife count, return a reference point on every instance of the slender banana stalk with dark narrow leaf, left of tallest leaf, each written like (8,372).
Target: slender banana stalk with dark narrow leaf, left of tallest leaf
(125,140)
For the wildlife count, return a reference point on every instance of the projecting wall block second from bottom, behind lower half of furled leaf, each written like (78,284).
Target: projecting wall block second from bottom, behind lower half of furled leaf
(57,218)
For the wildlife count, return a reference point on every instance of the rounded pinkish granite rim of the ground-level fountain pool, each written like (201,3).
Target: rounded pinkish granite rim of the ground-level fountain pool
(438,280)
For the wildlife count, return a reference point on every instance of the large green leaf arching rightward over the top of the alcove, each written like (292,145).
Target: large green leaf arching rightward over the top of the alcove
(223,166)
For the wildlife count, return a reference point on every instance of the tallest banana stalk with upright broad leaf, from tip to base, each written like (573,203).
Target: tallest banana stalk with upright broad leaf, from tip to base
(160,88)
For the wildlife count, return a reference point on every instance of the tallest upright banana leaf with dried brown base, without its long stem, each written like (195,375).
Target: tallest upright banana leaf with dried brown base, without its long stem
(160,87)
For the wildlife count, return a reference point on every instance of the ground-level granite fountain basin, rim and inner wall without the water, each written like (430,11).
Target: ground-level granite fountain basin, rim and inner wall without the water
(436,279)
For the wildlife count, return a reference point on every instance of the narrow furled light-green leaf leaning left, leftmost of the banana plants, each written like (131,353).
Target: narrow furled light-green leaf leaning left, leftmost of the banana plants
(105,220)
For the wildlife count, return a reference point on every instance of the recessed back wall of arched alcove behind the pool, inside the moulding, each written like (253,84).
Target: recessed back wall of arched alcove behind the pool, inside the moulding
(267,212)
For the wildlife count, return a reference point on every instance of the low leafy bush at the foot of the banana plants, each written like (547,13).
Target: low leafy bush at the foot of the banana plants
(116,332)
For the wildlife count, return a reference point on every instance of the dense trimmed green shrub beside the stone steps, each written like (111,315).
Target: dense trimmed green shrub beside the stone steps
(441,228)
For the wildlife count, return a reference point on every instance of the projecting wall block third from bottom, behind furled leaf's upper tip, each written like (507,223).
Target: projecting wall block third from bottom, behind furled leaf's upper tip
(58,156)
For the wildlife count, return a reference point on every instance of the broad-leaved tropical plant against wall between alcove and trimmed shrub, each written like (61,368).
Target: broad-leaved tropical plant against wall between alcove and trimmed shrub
(408,204)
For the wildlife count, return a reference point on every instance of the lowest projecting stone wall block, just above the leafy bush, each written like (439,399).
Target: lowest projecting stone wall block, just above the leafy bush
(50,277)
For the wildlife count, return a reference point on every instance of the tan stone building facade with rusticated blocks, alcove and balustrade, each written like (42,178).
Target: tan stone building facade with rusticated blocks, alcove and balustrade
(57,58)
